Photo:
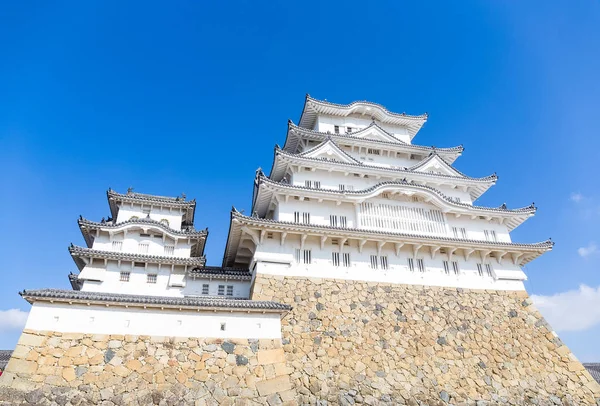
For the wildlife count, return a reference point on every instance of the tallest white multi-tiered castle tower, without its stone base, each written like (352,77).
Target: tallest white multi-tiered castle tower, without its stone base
(349,196)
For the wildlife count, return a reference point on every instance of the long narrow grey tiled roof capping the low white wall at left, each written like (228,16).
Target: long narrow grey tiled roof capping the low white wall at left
(158,301)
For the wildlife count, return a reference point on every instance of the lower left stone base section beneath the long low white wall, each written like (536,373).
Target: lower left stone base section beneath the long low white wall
(77,369)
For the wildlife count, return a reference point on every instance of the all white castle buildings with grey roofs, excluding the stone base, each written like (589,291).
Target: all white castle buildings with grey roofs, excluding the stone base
(349,196)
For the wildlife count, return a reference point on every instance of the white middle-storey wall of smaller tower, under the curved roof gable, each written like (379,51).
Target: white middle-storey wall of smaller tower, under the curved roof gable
(132,241)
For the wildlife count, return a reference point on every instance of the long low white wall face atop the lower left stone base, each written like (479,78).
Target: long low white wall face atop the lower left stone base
(66,318)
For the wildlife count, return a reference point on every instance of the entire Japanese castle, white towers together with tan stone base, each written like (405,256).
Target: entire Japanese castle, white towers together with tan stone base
(365,273)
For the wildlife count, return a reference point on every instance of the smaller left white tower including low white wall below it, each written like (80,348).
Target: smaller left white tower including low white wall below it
(143,272)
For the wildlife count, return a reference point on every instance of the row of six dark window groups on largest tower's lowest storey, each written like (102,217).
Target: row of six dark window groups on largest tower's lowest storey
(381,262)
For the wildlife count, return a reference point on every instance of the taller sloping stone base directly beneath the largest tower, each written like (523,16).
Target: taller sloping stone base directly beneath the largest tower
(351,342)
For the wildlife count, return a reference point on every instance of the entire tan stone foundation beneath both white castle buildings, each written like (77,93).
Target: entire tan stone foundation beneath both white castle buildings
(344,342)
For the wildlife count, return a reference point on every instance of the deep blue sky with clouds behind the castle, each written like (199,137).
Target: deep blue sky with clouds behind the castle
(193,98)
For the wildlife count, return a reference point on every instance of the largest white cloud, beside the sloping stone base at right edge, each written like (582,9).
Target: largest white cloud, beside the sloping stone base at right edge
(573,310)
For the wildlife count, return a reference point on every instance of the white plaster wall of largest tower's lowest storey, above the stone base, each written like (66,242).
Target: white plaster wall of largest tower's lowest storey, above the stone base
(398,272)
